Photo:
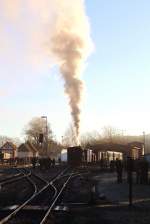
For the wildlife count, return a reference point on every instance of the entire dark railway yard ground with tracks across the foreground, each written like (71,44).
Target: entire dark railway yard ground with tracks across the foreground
(69,195)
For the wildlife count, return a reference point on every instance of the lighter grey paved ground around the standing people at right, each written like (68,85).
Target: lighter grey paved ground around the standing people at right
(106,184)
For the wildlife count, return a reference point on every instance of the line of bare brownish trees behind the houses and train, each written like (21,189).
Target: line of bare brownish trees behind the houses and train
(108,134)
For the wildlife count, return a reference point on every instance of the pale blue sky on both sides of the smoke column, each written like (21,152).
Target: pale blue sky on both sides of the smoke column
(116,77)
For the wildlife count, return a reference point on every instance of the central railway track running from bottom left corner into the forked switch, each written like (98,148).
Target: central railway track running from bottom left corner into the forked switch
(42,196)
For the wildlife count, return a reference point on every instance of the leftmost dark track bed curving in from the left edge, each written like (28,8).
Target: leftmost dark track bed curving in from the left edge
(16,190)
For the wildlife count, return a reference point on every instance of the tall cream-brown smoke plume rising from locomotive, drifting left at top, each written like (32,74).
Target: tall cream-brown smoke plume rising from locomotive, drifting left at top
(63,28)
